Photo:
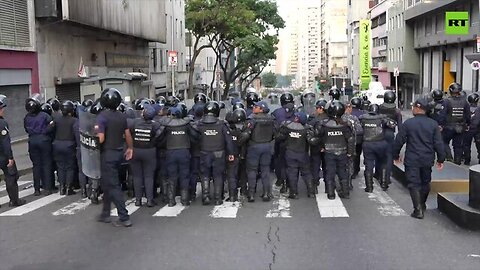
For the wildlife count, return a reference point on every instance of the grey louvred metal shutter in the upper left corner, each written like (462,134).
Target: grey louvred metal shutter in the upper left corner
(14,23)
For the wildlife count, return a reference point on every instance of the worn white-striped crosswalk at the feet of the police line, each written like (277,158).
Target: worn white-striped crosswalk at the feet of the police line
(279,207)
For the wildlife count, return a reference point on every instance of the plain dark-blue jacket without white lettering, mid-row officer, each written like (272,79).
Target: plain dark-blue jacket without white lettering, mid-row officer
(262,128)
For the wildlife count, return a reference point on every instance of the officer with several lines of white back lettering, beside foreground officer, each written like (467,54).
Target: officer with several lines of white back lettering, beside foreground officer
(145,133)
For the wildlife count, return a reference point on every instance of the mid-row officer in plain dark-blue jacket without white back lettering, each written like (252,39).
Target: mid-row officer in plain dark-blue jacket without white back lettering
(262,128)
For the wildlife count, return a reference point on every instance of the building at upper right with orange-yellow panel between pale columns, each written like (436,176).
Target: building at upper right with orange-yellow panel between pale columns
(443,58)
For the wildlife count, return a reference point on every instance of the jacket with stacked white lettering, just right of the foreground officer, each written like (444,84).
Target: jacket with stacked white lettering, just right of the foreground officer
(145,133)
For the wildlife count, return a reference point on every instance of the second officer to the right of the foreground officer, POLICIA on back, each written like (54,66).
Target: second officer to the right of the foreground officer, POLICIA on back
(177,135)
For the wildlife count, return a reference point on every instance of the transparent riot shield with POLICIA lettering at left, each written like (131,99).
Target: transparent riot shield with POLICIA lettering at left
(89,145)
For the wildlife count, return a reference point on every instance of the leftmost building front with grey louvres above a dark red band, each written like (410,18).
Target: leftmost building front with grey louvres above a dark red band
(18,60)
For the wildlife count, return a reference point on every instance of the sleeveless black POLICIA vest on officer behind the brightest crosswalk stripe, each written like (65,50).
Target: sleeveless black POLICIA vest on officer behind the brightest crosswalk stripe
(335,141)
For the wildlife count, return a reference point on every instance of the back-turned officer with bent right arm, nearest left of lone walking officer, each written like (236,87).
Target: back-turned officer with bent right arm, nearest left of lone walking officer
(374,146)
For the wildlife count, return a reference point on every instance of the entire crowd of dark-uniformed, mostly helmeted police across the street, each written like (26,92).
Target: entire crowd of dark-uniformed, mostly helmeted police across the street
(160,149)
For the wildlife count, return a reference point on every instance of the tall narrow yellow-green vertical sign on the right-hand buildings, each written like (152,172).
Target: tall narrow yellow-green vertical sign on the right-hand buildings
(365,71)
